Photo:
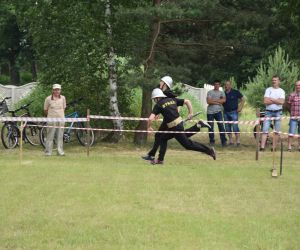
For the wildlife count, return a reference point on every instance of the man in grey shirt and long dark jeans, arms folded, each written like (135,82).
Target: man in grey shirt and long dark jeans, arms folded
(215,99)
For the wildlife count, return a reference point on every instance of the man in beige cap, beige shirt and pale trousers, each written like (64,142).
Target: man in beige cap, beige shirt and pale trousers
(54,107)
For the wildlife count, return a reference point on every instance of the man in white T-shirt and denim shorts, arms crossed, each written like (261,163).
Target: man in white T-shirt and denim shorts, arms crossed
(273,99)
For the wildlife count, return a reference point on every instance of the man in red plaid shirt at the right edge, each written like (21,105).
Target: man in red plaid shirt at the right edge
(293,106)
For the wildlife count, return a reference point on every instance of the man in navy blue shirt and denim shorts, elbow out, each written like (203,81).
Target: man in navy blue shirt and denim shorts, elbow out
(232,107)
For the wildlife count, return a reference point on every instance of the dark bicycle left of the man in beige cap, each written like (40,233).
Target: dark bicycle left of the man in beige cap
(10,133)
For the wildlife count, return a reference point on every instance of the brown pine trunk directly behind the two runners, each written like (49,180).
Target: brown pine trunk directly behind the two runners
(140,137)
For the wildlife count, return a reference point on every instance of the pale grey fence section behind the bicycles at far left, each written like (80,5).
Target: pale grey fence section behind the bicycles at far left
(15,92)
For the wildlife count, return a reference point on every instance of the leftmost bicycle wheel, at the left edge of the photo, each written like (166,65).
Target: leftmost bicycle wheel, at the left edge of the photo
(9,135)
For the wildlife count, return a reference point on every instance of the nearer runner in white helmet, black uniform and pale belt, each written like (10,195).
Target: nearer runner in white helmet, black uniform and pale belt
(168,107)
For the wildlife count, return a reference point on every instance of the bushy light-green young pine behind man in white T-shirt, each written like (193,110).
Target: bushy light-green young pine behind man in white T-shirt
(278,64)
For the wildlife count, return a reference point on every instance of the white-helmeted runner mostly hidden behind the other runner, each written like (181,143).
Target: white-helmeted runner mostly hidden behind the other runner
(165,85)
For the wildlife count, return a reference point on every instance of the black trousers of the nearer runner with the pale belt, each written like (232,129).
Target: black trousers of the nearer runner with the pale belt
(183,140)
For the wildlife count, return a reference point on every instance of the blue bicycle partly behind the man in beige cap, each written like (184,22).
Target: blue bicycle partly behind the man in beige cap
(81,134)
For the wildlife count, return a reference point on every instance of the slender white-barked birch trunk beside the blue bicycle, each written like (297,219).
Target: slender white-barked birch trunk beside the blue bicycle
(112,72)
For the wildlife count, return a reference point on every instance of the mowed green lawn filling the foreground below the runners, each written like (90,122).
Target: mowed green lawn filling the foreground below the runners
(115,200)
